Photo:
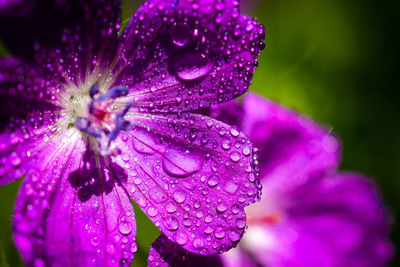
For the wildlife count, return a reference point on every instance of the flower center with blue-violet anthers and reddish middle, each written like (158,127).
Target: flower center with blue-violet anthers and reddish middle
(104,119)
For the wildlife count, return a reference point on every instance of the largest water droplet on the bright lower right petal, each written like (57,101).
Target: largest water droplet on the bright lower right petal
(181,164)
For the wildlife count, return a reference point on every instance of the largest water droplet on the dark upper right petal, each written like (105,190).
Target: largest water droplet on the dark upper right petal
(192,66)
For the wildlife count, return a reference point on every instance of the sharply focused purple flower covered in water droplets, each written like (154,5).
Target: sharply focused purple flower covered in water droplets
(93,119)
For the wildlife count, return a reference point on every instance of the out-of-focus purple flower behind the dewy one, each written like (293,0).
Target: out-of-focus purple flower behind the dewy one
(310,214)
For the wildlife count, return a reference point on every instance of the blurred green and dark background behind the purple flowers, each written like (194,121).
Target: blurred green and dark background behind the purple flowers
(333,60)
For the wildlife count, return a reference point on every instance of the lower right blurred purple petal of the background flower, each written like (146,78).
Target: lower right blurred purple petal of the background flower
(334,221)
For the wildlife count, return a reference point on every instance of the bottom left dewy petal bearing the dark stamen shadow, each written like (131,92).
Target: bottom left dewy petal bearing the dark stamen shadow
(72,210)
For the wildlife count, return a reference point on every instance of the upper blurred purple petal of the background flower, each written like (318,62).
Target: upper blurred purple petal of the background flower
(292,148)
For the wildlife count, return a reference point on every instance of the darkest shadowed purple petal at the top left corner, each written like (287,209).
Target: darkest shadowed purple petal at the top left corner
(68,39)
